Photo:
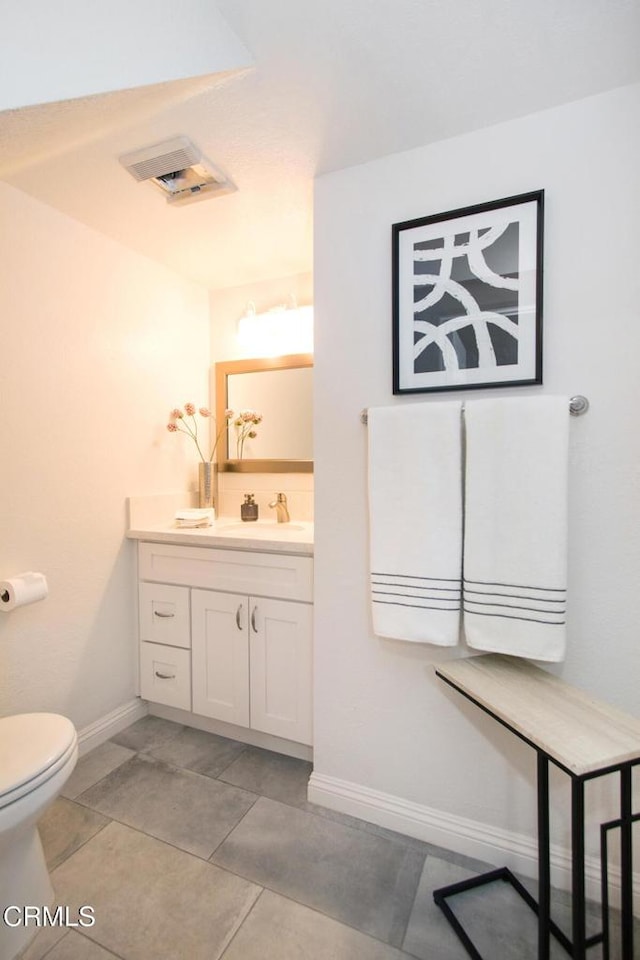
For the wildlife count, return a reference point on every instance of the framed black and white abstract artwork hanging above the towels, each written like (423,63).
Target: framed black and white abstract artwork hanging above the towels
(467,297)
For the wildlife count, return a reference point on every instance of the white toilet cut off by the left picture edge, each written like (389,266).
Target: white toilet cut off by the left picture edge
(38,752)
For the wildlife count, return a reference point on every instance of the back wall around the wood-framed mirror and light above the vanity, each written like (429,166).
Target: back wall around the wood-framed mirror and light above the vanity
(227,305)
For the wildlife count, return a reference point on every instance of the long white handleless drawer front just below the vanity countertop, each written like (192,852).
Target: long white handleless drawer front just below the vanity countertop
(235,571)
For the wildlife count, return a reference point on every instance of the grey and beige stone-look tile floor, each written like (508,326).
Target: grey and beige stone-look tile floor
(190,846)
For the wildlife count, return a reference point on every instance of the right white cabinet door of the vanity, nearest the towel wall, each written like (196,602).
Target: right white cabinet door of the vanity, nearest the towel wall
(281,668)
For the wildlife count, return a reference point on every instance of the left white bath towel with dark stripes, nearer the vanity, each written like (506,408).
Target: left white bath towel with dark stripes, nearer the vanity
(415,519)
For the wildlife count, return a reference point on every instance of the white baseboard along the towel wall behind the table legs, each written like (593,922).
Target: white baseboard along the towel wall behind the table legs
(470,838)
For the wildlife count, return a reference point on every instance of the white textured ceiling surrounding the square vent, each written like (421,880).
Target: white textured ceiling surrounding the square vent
(335,83)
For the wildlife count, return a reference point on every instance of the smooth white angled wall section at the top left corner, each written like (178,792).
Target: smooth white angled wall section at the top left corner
(49,52)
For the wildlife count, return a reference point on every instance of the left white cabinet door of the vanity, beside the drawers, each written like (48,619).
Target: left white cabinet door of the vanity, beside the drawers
(220,656)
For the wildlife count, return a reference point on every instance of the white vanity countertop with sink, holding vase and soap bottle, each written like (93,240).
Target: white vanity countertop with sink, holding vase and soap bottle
(233,533)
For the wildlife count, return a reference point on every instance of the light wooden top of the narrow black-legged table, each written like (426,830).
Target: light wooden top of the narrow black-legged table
(579,732)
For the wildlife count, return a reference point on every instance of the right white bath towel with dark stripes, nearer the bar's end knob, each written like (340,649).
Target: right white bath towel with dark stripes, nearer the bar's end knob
(515,542)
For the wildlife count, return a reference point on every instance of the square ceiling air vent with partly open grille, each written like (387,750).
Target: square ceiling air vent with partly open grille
(179,170)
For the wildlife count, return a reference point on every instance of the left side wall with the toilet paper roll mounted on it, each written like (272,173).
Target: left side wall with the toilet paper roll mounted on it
(97,345)
